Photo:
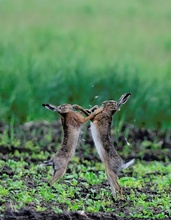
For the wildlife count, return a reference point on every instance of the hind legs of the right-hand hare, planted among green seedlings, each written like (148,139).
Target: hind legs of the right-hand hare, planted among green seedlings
(113,180)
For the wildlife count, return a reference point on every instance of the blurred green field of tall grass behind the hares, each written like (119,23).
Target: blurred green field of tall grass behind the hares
(86,52)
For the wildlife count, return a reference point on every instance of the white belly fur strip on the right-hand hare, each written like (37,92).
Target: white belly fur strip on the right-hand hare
(97,139)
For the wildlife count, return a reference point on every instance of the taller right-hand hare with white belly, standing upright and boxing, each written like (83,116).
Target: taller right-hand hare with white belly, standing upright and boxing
(101,132)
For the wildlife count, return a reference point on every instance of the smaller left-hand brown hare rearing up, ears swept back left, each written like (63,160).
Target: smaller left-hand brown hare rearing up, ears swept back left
(71,123)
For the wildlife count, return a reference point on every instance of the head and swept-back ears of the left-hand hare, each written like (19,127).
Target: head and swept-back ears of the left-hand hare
(62,109)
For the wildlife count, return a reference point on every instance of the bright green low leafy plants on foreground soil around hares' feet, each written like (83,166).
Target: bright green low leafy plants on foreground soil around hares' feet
(16,191)
